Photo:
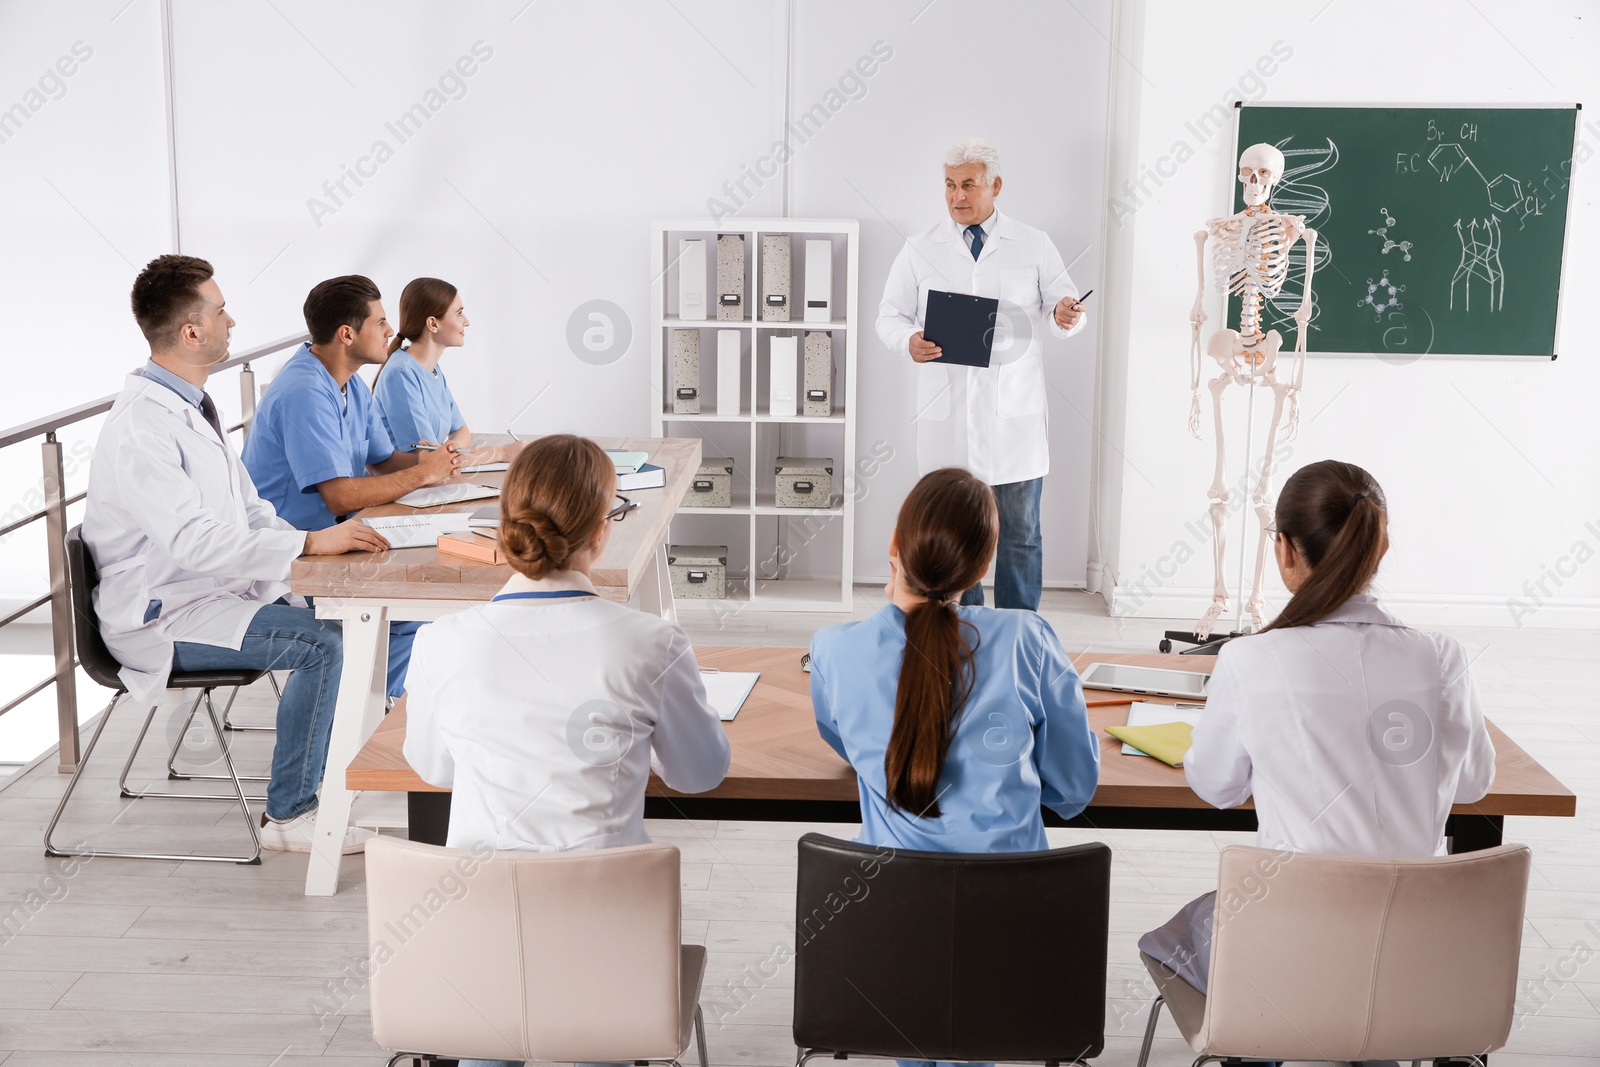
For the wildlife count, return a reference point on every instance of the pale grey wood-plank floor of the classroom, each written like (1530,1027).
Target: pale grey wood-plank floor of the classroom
(138,964)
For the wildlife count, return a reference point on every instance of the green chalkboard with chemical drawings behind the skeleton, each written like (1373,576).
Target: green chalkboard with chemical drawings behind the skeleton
(1441,230)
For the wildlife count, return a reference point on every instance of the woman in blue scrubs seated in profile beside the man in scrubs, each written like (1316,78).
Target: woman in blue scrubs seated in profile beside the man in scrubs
(412,394)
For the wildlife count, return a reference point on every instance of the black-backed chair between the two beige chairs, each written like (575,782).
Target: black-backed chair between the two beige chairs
(951,957)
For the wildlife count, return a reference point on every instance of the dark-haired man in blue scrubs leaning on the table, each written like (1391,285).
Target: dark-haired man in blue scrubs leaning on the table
(318,447)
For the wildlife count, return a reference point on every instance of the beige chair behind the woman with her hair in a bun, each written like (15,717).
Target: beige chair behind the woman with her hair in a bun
(530,956)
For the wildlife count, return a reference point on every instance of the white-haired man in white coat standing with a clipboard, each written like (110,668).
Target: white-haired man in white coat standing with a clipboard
(990,420)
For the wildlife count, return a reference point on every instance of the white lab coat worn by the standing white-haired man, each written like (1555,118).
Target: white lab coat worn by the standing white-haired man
(993,422)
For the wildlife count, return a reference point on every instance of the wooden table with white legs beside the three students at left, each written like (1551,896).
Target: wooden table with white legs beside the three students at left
(370,591)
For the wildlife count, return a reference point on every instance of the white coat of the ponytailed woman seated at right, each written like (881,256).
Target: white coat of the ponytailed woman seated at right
(1354,735)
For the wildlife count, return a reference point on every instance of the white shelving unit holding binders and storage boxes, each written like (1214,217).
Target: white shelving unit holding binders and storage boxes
(780,559)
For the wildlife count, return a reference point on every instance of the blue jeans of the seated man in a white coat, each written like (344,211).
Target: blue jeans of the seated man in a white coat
(284,637)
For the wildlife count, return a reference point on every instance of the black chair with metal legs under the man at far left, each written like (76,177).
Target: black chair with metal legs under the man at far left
(102,666)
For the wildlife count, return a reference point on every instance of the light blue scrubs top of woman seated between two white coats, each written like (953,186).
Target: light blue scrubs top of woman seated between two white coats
(1022,740)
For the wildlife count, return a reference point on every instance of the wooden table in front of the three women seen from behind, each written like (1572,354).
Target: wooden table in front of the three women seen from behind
(783,770)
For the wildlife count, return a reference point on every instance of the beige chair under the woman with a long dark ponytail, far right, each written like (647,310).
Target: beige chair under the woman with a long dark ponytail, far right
(1351,959)
